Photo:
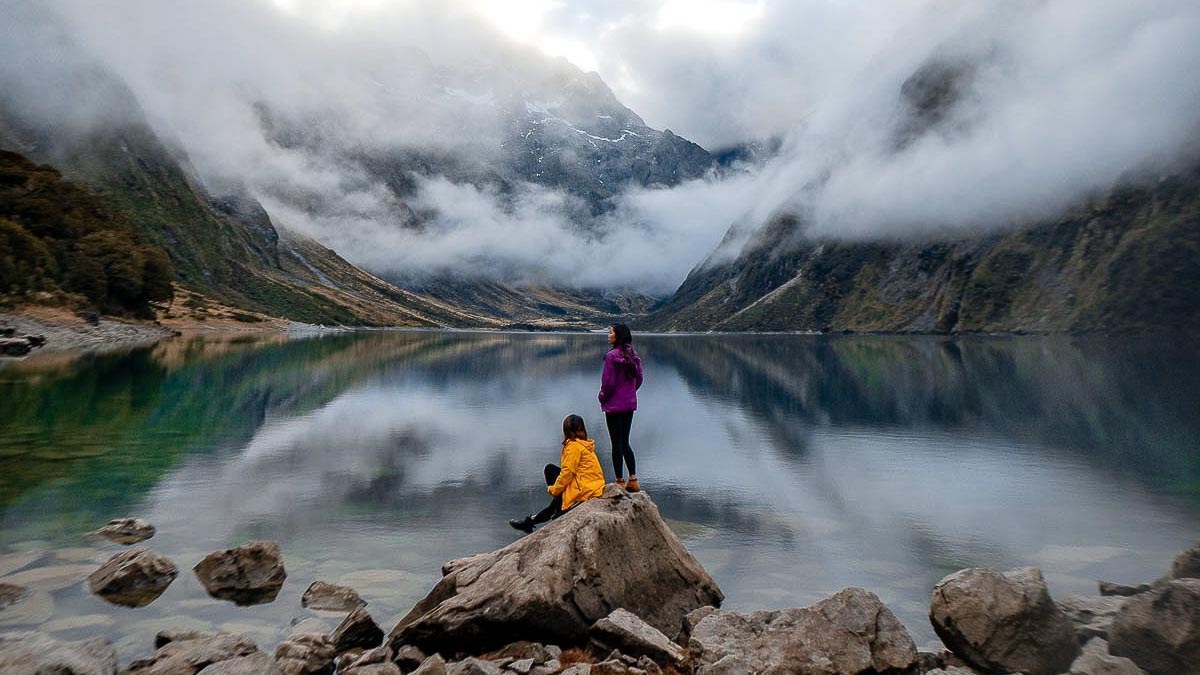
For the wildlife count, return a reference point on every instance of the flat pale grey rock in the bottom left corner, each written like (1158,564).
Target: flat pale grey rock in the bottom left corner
(38,654)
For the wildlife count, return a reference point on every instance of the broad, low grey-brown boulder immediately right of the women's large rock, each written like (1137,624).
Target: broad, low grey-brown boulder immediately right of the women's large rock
(849,632)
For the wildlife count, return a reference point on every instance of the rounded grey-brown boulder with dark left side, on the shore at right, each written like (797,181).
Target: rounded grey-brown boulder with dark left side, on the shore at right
(1004,623)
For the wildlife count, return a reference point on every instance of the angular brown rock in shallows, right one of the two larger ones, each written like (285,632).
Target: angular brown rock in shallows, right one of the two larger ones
(249,575)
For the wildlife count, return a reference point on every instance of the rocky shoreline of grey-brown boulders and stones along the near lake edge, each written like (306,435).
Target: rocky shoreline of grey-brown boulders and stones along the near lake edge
(609,589)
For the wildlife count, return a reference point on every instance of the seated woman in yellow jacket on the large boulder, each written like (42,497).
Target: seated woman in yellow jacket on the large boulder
(579,480)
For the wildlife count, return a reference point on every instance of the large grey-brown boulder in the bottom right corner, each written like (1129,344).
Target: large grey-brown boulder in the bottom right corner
(1161,630)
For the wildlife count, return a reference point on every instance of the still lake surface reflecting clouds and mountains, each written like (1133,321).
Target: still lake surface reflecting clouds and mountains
(791,467)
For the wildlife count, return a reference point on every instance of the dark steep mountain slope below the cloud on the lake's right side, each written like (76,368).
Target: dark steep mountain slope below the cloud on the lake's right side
(1130,262)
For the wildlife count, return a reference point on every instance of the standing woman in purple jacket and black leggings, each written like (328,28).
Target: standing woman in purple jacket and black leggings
(619,399)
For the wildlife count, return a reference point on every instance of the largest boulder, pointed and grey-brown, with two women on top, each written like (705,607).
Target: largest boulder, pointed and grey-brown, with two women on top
(551,587)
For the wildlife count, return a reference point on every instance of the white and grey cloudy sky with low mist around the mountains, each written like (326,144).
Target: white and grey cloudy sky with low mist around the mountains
(1054,103)
